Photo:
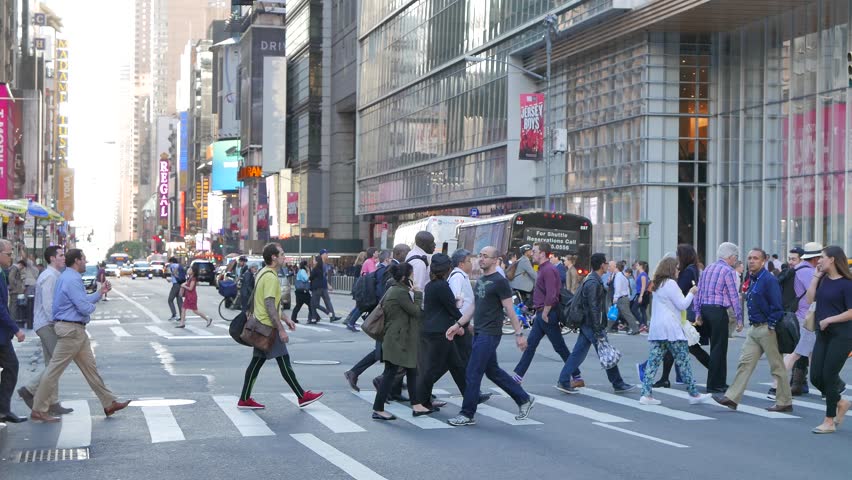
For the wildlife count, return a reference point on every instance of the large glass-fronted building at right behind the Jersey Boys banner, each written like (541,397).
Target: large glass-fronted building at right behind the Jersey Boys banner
(714,121)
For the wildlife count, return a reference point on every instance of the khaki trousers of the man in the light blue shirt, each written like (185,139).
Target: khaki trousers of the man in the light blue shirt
(73,344)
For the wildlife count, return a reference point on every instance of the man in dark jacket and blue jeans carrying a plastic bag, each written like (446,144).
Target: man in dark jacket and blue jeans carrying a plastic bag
(587,313)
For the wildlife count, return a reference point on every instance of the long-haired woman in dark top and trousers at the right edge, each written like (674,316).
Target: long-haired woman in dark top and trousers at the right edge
(831,289)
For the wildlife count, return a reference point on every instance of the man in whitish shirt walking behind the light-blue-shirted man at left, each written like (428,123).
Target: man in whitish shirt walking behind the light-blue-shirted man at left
(43,325)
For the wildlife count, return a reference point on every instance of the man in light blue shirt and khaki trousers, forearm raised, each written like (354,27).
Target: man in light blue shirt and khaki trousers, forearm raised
(71,310)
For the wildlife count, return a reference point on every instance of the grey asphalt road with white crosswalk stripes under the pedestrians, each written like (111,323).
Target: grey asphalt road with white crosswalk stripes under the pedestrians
(194,432)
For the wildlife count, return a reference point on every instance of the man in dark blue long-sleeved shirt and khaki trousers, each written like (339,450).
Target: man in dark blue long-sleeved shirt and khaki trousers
(765,310)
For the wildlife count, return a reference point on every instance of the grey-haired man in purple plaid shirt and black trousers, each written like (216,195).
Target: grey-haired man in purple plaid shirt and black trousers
(717,291)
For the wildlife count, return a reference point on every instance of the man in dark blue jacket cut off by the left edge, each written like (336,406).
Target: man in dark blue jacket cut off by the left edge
(8,329)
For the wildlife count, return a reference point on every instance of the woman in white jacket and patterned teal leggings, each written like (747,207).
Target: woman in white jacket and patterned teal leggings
(666,333)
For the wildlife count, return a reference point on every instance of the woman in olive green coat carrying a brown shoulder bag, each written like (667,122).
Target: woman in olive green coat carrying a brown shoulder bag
(401,306)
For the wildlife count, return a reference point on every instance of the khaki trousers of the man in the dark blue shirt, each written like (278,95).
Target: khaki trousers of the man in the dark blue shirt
(760,340)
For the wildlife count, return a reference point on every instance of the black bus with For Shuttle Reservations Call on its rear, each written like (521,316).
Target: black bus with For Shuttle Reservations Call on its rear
(567,234)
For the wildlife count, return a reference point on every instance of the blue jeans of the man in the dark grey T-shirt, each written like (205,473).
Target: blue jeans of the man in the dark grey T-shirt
(483,361)
